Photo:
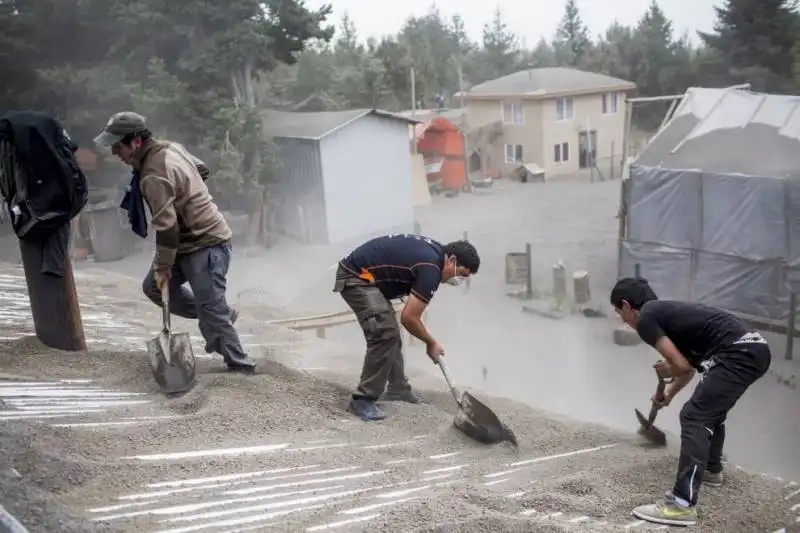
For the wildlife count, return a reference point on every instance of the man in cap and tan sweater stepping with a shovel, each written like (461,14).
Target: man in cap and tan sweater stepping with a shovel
(192,238)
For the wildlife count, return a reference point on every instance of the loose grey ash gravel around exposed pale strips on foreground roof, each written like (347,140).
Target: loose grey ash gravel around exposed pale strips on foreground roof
(63,472)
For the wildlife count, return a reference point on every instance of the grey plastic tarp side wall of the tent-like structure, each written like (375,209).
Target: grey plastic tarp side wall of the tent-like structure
(719,239)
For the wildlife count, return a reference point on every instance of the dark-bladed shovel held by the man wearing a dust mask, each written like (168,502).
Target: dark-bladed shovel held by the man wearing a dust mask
(475,419)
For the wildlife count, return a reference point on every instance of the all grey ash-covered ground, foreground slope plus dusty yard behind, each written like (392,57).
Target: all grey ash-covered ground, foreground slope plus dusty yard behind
(277,452)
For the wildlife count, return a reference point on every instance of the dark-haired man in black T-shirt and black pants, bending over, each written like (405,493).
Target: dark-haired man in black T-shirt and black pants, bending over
(730,356)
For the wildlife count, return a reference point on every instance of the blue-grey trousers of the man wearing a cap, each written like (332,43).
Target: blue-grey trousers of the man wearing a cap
(203,300)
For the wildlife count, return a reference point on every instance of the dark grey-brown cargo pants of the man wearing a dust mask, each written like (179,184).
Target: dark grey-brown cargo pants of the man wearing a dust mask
(384,359)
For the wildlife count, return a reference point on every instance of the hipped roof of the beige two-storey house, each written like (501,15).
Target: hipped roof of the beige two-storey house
(548,82)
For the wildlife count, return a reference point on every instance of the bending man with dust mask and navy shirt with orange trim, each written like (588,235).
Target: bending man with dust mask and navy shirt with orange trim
(383,269)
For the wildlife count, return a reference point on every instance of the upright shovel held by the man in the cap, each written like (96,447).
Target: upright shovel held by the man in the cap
(171,356)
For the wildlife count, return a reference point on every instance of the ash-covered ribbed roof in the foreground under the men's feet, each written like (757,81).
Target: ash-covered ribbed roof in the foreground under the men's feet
(88,445)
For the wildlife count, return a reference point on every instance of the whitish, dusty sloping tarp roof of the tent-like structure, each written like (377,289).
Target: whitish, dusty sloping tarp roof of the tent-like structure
(730,131)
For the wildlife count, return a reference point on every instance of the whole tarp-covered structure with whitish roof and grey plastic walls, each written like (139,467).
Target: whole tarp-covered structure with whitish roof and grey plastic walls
(713,203)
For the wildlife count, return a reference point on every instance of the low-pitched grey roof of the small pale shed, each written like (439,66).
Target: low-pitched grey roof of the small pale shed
(316,125)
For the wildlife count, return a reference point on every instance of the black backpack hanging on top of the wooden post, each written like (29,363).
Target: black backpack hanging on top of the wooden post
(40,180)
